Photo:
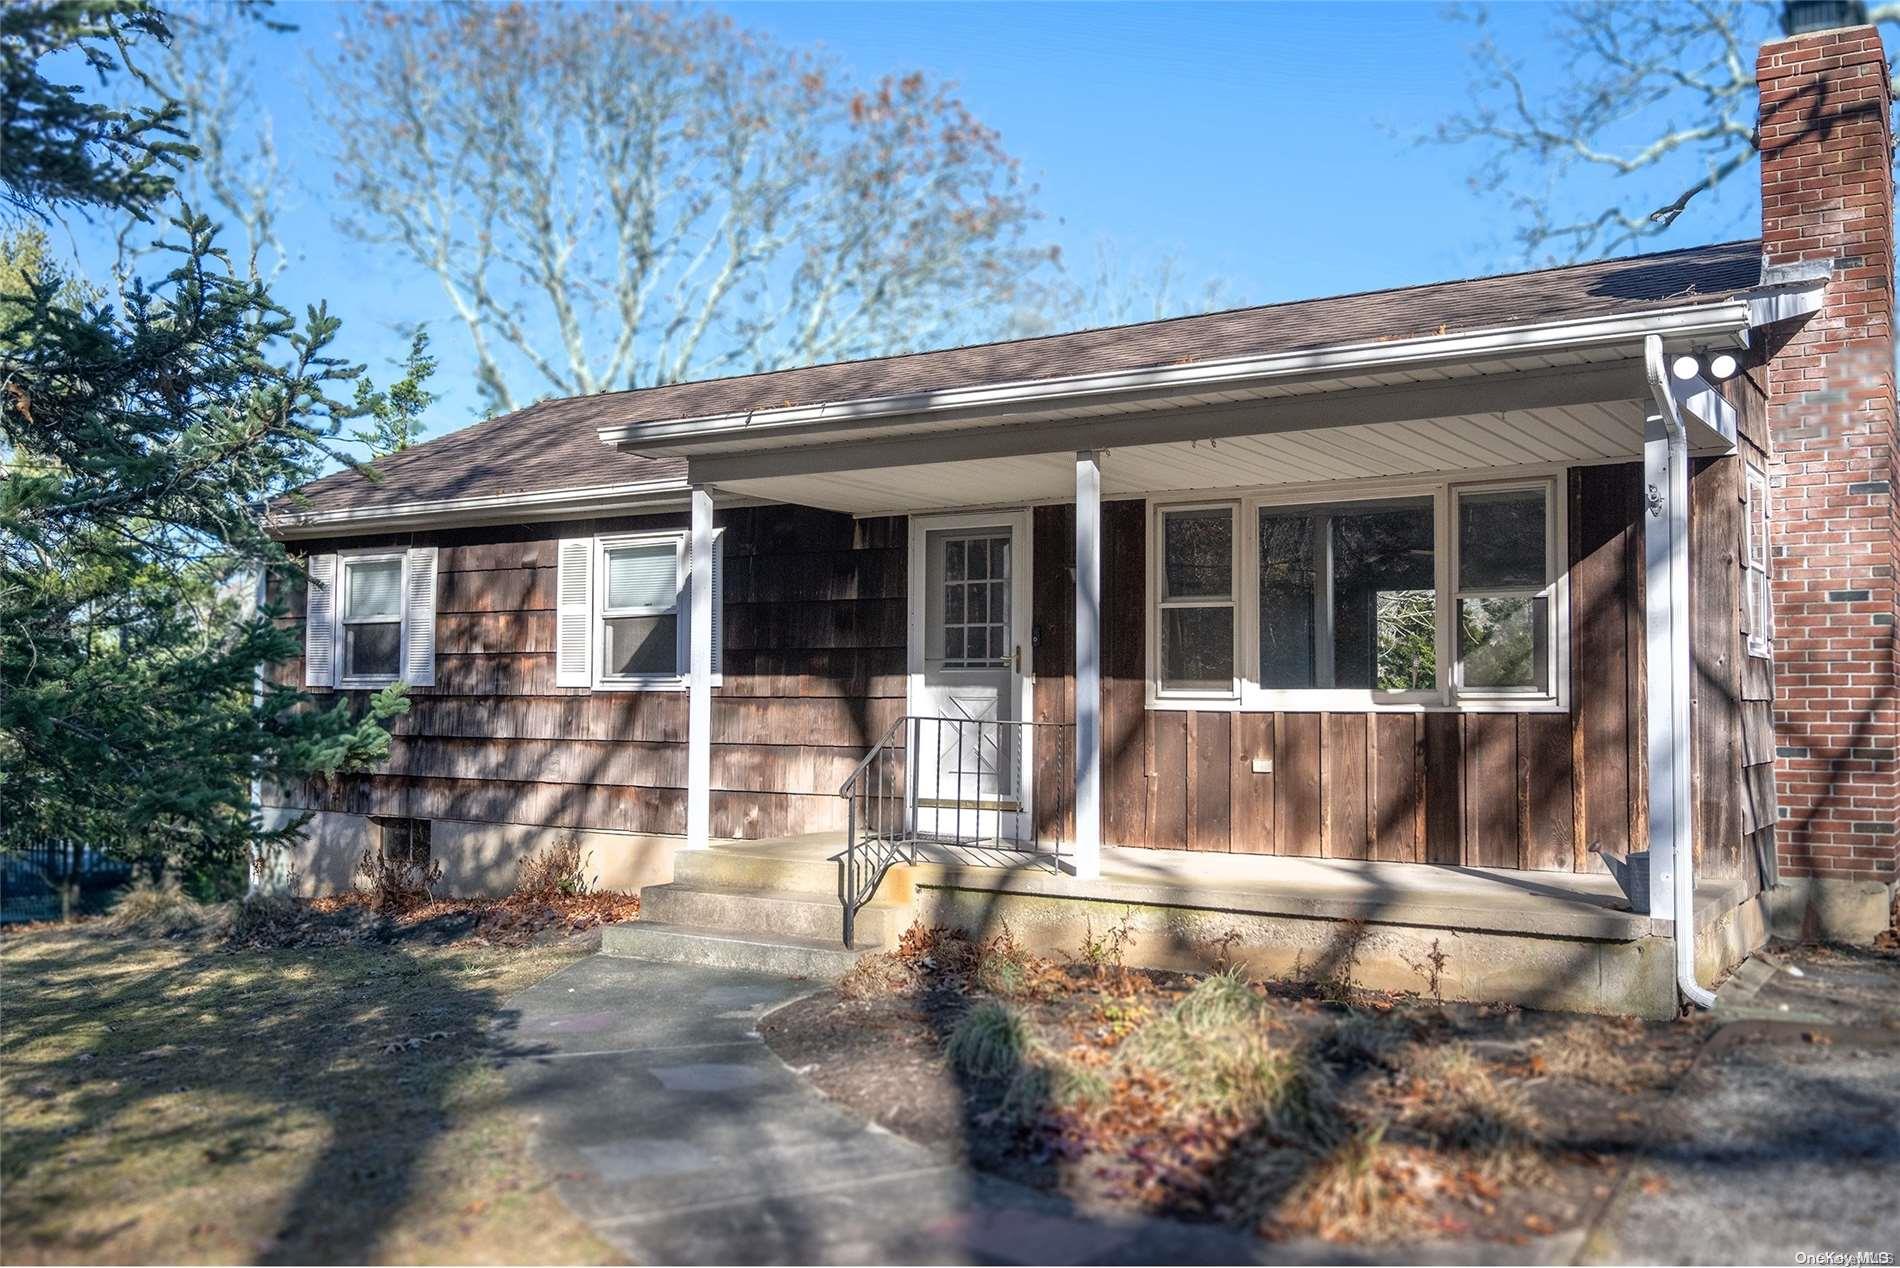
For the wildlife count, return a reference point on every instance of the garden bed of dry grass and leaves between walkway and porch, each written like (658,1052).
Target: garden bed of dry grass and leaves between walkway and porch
(1285,1109)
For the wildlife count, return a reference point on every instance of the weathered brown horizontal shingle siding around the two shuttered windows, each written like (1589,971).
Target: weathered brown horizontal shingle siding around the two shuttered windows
(814,672)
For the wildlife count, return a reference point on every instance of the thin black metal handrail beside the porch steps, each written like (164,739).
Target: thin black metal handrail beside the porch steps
(883,801)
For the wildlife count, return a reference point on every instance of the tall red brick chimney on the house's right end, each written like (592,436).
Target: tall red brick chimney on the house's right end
(1827,199)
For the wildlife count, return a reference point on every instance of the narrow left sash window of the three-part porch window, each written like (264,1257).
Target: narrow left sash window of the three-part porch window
(1198,609)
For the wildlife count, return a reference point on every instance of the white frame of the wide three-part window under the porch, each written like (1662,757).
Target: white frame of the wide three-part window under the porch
(1251,697)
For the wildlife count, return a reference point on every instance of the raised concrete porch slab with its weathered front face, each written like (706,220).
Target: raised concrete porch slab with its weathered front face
(1540,940)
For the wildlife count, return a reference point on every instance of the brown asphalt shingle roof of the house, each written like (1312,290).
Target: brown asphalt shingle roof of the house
(554,446)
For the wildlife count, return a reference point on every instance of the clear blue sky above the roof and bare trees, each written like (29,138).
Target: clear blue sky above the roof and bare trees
(1272,145)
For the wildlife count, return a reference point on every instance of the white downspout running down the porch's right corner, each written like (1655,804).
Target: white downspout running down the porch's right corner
(1667,560)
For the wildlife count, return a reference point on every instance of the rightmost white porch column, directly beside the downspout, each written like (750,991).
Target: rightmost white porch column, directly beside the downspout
(1667,653)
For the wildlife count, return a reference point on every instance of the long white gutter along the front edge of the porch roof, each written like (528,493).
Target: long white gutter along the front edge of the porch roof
(1698,322)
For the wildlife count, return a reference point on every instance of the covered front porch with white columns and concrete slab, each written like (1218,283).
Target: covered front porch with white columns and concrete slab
(1149,742)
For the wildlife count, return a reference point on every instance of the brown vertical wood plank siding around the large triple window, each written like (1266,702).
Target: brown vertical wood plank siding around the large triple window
(1479,790)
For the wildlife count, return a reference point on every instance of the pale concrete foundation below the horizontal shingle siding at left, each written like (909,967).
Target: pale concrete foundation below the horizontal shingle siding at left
(478,860)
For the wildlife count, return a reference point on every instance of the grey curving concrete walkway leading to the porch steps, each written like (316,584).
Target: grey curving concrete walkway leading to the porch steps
(683,1140)
